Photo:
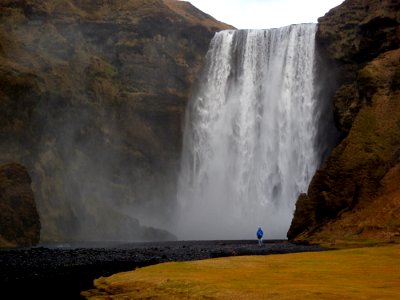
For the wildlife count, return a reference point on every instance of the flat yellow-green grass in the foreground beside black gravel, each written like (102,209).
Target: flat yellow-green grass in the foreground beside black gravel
(363,273)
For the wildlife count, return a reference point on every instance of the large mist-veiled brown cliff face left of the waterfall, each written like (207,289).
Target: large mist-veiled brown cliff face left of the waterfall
(92,94)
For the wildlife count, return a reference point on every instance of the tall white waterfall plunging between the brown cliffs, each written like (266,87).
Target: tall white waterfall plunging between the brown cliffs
(248,148)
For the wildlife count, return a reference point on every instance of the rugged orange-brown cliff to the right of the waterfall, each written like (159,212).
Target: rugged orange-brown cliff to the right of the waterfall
(356,193)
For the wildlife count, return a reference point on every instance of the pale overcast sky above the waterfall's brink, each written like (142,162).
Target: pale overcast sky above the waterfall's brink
(262,14)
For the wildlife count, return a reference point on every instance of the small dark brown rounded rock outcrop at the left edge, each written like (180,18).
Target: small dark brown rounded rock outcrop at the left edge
(19,219)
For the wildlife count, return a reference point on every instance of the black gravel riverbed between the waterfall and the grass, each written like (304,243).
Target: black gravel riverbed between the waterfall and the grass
(62,271)
